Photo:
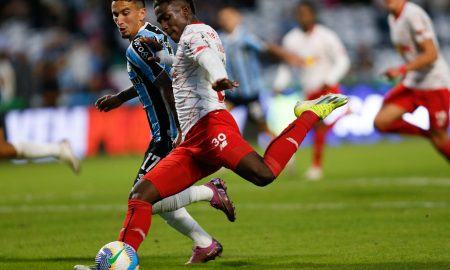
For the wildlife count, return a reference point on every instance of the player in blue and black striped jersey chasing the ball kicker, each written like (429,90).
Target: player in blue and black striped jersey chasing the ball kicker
(153,85)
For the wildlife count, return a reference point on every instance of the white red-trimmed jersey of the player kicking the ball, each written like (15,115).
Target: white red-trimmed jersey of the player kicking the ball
(194,96)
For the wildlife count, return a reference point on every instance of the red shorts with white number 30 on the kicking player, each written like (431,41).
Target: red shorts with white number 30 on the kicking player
(214,142)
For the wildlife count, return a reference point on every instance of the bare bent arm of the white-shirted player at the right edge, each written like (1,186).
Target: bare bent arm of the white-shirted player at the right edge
(427,57)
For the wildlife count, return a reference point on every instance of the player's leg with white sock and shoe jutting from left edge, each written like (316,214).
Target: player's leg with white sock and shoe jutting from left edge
(27,150)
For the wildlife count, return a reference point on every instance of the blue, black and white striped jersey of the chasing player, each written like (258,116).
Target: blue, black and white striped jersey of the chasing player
(143,74)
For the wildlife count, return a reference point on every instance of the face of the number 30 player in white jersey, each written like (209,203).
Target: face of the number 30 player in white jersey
(173,18)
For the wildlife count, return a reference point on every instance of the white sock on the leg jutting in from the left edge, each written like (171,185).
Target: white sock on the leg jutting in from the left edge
(32,151)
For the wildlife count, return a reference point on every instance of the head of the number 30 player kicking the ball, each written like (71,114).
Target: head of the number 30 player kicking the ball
(174,16)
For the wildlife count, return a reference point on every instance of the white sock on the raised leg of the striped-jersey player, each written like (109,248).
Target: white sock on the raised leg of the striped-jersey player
(190,195)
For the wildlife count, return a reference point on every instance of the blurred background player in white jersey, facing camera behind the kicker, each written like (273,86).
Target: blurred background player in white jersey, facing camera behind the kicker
(325,63)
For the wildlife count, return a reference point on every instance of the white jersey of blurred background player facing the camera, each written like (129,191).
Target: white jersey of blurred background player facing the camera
(325,59)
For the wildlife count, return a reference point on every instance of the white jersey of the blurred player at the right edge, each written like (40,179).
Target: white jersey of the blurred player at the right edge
(411,28)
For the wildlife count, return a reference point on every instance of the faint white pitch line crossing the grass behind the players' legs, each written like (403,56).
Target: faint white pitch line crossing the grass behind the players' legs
(247,206)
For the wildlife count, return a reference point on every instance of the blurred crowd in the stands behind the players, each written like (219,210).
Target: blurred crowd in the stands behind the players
(69,52)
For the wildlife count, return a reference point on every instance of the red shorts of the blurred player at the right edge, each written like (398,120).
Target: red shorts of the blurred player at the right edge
(437,102)
